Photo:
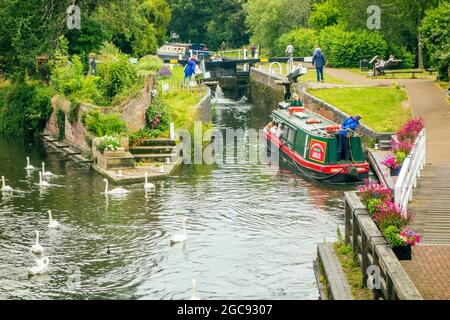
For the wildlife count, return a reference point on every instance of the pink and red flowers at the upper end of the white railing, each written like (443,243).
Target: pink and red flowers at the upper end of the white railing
(402,145)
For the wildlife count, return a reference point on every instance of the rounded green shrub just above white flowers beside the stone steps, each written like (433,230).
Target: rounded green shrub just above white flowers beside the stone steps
(104,124)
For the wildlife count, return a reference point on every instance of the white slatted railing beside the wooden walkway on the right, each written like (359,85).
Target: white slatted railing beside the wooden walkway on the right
(411,168)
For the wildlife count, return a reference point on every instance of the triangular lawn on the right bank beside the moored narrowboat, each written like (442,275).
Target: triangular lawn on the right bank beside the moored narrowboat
(382,108)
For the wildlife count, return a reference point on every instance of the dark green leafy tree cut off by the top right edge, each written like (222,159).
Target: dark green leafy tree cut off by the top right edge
(436,34)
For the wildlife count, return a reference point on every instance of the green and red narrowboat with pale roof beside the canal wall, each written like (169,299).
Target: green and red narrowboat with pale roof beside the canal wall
(308,143)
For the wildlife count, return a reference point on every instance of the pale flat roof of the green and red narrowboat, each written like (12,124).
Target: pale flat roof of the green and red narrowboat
(298,120)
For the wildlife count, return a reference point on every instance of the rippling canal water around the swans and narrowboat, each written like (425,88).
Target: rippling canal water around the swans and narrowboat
(252,230)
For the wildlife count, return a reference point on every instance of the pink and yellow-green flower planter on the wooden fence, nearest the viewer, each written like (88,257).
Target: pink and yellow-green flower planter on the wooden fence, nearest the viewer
(390,218)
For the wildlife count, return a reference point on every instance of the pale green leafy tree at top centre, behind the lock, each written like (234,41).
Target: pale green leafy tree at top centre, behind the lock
(267,20)
